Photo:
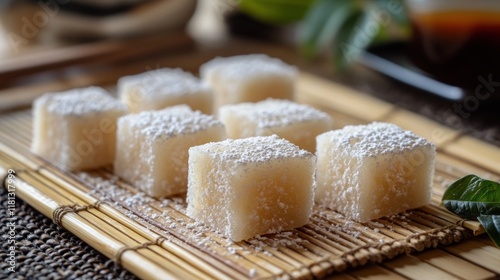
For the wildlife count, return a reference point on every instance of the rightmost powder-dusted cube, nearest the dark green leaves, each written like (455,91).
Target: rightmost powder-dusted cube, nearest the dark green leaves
(370,171)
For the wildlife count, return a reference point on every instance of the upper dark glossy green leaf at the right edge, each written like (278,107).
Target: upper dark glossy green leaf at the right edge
(472,196)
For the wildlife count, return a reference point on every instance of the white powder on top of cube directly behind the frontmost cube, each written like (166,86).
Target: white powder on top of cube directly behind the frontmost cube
(275,113)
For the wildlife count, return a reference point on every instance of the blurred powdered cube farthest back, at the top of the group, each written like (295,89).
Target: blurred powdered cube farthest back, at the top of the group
(248,78)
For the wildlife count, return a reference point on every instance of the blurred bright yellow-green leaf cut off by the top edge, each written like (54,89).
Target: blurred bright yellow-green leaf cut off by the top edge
(276,11)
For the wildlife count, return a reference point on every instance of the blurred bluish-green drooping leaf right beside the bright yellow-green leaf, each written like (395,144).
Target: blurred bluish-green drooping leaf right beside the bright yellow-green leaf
(318,27)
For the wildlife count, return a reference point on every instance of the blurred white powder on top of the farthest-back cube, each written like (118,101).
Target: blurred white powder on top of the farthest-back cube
(242,66)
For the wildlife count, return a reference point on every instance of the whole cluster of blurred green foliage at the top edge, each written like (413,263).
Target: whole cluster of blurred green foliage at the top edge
(342,27)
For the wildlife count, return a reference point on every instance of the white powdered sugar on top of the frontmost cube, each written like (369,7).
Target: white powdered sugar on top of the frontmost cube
(253,149)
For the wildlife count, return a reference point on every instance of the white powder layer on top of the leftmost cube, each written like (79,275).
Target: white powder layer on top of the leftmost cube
(79,102)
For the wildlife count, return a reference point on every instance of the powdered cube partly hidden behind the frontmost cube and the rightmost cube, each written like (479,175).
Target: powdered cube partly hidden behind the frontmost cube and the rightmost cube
(299,124)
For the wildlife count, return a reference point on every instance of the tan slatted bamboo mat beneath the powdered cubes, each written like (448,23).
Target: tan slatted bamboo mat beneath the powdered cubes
(155,239)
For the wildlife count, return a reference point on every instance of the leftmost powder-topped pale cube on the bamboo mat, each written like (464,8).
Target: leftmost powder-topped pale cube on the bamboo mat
(76,129)
